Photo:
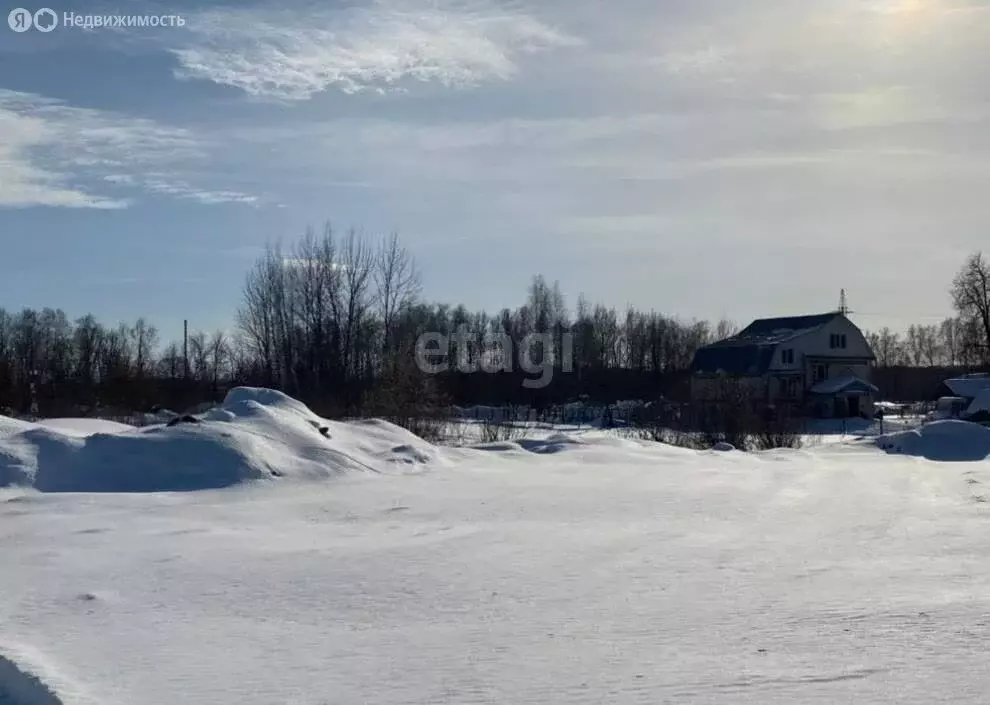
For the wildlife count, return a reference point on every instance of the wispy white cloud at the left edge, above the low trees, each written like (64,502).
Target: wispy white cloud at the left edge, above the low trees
(54,154)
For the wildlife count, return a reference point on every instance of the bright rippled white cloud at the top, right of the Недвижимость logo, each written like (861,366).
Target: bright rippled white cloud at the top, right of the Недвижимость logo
(285,56)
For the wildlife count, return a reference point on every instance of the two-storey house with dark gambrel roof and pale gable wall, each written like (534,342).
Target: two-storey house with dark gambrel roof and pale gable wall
(818,365)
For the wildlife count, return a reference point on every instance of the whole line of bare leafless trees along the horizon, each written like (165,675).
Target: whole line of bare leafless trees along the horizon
(334,320)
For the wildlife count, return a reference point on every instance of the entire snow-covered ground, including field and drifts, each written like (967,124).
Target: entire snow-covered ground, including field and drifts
(583,568)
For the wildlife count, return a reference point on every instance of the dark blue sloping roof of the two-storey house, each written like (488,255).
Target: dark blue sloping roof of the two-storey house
(750,351)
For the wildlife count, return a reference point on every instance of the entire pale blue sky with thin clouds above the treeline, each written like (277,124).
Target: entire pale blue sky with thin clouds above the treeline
(705,158)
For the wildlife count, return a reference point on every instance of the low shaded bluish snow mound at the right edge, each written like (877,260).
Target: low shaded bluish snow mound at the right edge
(949,440)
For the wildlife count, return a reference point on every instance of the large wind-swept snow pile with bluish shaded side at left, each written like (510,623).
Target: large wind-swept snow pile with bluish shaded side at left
(256,434)
